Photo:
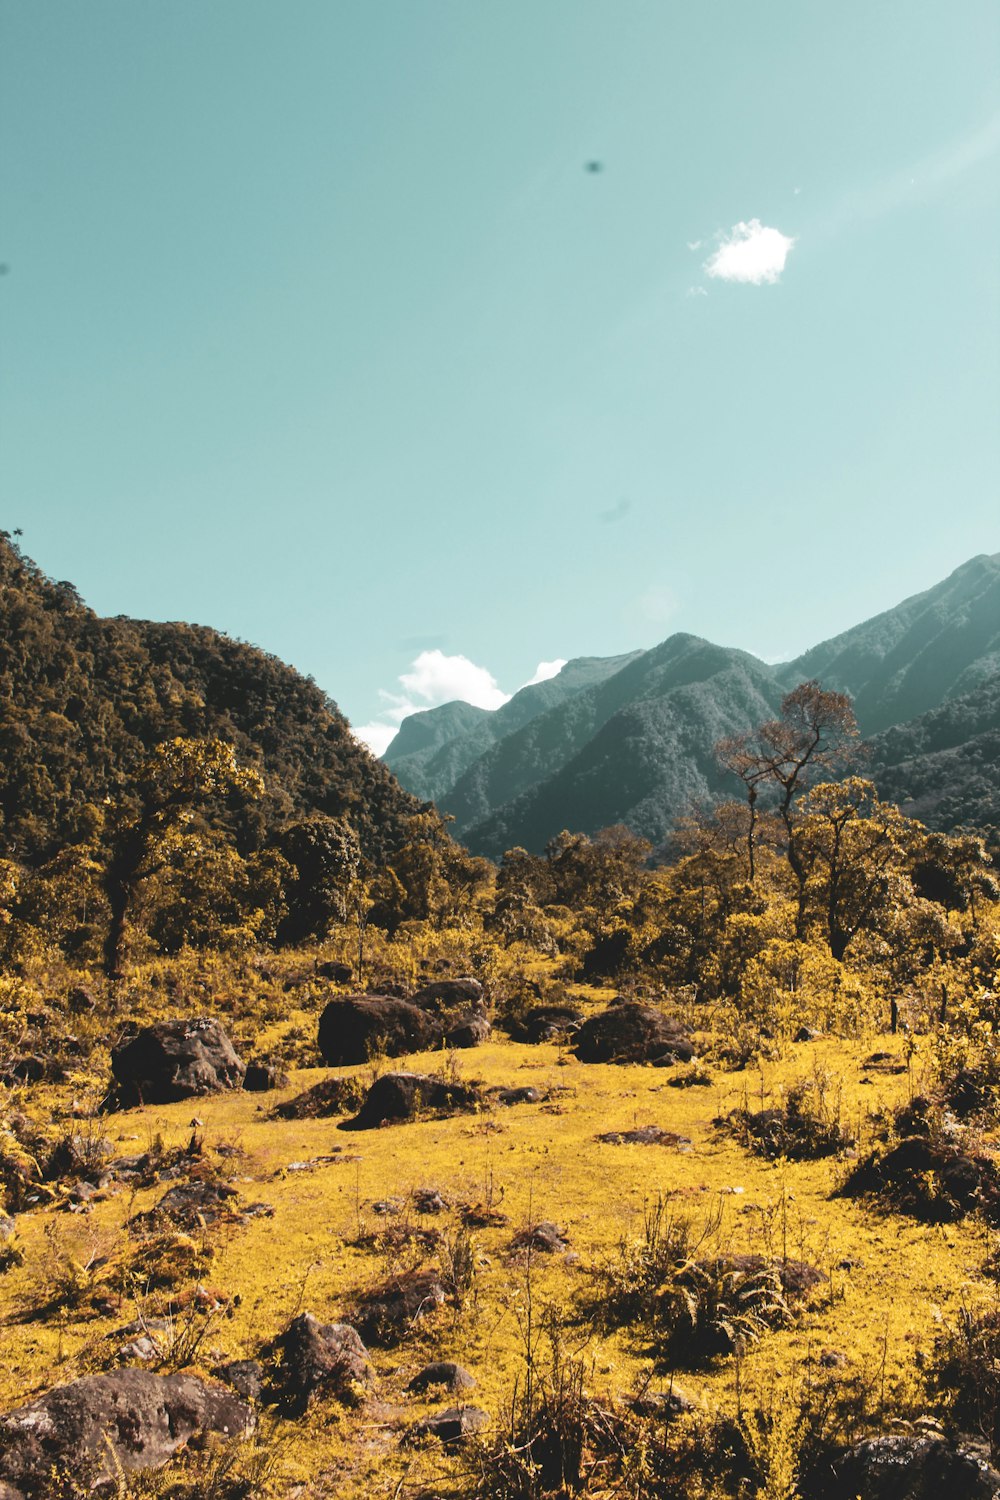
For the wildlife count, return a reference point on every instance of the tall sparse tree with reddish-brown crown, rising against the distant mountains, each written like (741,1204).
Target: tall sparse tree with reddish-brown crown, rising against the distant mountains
(816,733)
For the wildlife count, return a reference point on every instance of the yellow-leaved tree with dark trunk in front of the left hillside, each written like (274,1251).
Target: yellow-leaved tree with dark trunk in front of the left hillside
(143,830)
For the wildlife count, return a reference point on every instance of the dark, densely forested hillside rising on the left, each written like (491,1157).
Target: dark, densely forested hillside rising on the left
(83,700)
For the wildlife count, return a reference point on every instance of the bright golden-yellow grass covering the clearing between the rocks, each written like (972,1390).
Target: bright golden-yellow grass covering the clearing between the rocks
(893,1283)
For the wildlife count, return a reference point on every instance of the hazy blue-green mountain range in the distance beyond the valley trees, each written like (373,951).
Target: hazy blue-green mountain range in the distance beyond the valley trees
(635,742)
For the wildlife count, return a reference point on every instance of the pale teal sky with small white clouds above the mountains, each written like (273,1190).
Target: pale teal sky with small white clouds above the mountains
(428,344)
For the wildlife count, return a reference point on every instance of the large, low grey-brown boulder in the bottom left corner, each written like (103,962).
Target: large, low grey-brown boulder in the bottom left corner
(95,1427)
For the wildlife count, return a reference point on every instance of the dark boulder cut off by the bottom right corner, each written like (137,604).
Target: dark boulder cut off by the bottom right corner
(906,1466)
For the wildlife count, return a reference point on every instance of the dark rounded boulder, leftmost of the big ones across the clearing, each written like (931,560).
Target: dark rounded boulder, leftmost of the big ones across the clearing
(175,1061)
